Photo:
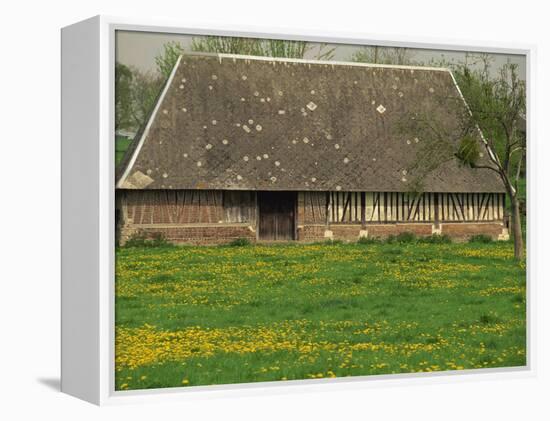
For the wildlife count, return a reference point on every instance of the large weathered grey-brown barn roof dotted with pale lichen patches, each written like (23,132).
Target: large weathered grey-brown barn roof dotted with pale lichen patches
(254,123)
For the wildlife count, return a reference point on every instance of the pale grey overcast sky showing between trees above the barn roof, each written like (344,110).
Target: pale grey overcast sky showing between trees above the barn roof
(139,49)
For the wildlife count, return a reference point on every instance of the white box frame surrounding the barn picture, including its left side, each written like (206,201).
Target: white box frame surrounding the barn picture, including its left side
(88,237)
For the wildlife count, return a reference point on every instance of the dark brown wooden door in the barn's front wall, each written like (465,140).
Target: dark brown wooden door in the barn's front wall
(277,210)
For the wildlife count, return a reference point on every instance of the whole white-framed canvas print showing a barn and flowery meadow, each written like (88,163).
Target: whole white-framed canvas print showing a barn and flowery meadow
(276,209)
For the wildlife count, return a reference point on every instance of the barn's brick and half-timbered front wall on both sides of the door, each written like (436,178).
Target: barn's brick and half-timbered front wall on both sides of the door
(215,216)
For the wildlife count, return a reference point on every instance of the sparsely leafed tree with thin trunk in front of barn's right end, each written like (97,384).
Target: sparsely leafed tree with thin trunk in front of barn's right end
(495,106)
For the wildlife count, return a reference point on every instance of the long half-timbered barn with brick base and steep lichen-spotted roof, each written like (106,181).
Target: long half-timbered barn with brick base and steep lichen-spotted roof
(298,150)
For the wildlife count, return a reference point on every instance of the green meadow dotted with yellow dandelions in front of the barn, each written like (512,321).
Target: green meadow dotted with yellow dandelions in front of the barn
(215,315)
